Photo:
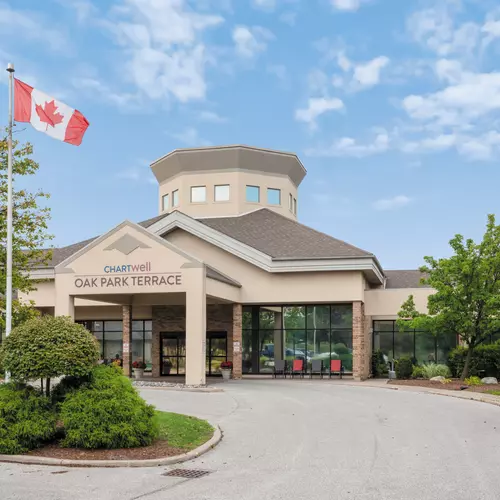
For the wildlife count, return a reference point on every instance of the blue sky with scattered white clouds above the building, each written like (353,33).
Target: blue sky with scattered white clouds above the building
(392,106)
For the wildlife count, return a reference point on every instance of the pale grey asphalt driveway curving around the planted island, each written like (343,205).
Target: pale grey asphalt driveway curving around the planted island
(304,440)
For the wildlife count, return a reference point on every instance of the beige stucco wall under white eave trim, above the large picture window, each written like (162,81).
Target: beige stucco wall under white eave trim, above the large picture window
(259,286)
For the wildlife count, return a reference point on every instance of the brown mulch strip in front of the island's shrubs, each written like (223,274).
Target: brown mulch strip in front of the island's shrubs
(159,449)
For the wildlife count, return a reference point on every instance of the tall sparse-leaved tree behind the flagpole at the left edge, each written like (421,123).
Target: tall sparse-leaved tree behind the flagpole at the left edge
(30,235)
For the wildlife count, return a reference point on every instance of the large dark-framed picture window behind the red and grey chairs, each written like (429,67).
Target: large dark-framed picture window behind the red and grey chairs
(306,332)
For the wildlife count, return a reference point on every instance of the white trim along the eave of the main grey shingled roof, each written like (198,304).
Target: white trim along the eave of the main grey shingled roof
(178,220)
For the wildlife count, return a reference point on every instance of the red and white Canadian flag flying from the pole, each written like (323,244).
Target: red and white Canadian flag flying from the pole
(48,115)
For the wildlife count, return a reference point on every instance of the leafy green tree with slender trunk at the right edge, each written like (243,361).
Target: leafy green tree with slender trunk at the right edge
(467,298)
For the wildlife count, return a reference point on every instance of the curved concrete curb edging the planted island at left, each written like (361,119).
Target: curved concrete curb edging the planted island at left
(154,462)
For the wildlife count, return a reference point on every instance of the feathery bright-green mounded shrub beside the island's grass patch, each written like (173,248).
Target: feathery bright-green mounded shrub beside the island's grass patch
(107,412)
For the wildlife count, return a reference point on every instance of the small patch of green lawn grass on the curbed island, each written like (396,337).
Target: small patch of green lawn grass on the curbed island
(182,431)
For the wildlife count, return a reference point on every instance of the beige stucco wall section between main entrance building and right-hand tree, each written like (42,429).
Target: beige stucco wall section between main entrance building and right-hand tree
(387,303)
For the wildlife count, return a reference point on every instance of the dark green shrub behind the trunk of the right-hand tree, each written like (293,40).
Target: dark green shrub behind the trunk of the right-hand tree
(485,360)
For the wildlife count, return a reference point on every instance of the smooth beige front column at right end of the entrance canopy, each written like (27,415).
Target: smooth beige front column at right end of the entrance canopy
(196,330)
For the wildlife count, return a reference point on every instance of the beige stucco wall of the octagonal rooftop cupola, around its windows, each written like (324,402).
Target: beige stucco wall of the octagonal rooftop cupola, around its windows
(237,180)
